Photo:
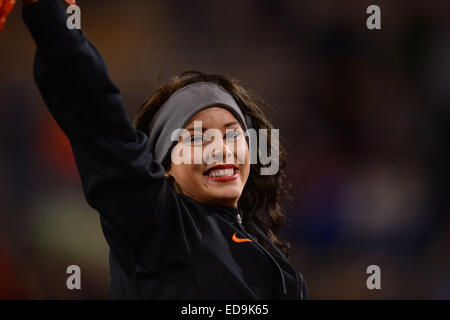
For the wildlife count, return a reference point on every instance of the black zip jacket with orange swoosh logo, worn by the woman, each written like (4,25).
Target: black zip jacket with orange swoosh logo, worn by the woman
(164,245)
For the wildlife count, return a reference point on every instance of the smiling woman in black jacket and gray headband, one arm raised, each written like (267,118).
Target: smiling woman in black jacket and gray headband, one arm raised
(207,230)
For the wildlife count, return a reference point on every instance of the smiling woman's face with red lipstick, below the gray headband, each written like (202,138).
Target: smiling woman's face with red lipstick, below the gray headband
(212,182)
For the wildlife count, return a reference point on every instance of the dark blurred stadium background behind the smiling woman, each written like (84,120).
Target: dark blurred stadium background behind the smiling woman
(364,115)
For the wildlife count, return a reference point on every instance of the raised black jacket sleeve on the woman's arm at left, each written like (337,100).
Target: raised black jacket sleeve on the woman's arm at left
(119,176)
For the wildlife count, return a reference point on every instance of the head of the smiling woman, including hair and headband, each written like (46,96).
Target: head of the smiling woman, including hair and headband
(259,196)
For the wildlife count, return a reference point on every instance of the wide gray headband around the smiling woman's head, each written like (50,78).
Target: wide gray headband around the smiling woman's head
(182,106)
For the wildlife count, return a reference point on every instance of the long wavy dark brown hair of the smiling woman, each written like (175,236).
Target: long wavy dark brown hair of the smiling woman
(262,194)
